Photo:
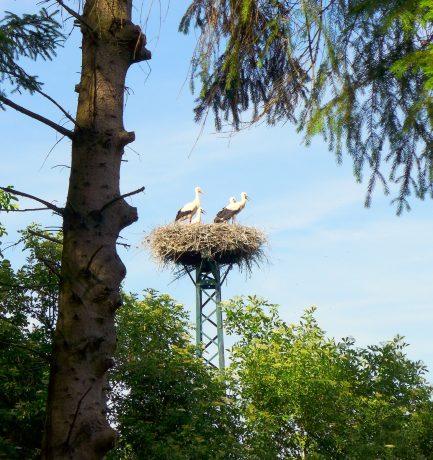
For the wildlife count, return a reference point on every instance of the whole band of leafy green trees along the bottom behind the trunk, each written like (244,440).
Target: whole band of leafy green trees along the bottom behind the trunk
(289,392)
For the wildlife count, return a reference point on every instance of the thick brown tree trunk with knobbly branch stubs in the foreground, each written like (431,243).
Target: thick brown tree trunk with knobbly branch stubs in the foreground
(94,215)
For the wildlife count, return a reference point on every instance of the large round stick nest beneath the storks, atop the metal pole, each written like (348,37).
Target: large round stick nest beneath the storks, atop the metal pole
(188,245)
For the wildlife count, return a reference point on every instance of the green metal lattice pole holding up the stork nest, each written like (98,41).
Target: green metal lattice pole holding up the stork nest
(209,319)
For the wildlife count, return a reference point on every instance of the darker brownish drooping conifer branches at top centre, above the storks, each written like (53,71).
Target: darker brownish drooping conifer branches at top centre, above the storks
(253,55)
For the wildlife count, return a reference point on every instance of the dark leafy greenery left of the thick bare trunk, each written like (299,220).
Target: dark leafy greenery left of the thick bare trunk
(28,300)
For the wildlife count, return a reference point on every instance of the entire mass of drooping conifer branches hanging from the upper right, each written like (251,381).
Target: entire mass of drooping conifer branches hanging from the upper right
(358,72)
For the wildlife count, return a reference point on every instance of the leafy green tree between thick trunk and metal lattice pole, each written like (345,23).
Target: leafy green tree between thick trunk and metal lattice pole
(166,402)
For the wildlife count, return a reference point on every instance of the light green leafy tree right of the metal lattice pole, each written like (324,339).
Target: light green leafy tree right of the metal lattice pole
(304,395)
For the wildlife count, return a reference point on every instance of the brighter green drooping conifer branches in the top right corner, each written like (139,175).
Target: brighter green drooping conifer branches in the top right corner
(374,97)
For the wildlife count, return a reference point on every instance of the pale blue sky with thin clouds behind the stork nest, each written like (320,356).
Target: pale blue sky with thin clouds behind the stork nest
(369,272)
